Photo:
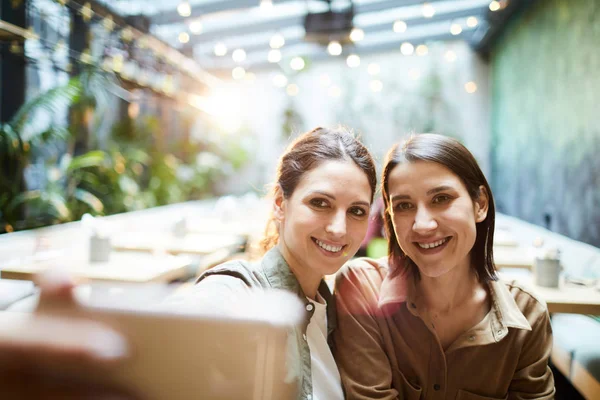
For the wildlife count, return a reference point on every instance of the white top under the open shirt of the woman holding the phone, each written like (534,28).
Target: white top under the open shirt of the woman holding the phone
(325,374)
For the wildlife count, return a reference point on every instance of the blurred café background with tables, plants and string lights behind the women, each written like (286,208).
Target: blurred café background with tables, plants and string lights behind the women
(138,139)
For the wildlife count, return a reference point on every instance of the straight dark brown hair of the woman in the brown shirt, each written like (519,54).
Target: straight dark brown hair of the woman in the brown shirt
(457,158)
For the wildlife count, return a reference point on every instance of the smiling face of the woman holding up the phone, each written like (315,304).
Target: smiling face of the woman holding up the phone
(323,222)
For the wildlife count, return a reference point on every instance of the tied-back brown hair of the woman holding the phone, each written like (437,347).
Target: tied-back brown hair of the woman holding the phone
(307,152)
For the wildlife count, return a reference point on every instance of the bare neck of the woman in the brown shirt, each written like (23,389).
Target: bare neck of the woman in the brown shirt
(449,291)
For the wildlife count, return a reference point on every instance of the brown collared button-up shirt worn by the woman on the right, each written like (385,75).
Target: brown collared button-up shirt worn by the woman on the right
(385,350)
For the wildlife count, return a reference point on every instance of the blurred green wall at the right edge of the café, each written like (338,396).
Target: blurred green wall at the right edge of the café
(546,117)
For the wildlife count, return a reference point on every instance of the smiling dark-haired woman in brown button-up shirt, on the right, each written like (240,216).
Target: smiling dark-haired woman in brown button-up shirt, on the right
(432,320)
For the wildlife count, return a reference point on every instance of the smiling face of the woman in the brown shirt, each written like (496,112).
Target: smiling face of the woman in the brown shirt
(434,217)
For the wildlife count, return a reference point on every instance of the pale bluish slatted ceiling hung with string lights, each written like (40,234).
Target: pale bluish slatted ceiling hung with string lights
(248,25)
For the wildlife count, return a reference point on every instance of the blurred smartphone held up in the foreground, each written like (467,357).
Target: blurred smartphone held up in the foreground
(196,355)
